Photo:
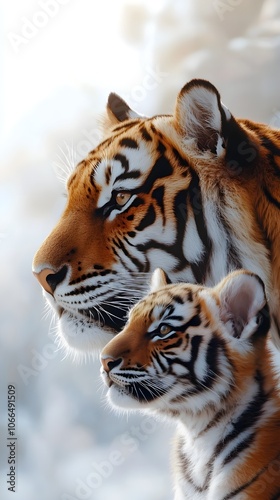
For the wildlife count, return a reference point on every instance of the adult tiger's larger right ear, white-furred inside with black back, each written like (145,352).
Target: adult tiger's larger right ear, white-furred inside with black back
(201,115)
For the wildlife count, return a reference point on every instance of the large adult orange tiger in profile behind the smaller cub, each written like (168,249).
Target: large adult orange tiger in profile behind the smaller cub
(197,193)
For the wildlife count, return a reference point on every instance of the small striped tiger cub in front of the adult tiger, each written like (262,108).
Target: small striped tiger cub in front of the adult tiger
(200,356)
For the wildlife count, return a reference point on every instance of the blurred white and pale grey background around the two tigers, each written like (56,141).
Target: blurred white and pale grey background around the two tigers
(59,60)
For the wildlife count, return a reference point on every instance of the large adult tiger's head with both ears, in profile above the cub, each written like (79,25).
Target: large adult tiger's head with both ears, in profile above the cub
(134,202)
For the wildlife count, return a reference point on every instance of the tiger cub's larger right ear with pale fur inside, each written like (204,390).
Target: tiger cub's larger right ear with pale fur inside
(243,305)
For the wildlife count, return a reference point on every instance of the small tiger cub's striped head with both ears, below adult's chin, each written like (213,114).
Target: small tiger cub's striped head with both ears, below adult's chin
(187,346)
